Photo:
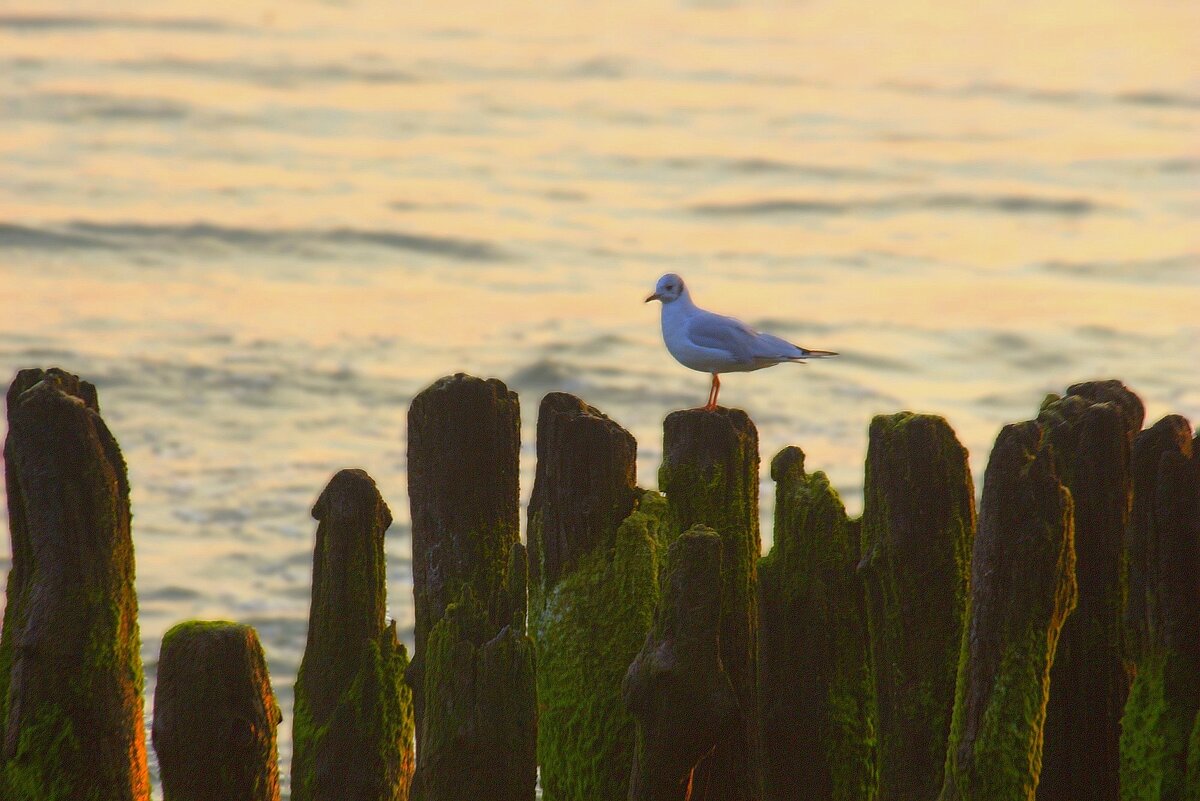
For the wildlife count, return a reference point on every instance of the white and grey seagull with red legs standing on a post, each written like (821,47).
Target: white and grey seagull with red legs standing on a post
(715,344)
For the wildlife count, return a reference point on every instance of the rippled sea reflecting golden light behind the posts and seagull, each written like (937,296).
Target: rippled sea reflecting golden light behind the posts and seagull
(260,228)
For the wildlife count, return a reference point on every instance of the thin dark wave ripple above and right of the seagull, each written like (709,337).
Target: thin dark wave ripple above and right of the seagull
(1010,204)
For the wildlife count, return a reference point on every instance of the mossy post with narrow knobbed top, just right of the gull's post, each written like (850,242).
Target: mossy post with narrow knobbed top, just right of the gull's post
(814,679)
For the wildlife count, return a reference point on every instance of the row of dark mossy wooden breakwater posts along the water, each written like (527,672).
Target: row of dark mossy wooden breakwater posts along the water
(1046,646)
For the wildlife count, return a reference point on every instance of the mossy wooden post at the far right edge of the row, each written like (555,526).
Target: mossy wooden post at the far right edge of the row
(1163,616)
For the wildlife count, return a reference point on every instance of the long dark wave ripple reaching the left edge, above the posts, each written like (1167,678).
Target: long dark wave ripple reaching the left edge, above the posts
(83,234)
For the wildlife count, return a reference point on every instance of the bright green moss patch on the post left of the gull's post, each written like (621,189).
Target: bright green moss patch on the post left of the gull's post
(591,629)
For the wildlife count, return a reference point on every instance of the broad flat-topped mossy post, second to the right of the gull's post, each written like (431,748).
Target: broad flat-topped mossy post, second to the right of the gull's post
(919,523)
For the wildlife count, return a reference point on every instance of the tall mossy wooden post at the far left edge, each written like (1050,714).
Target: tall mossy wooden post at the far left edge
(70,667)
